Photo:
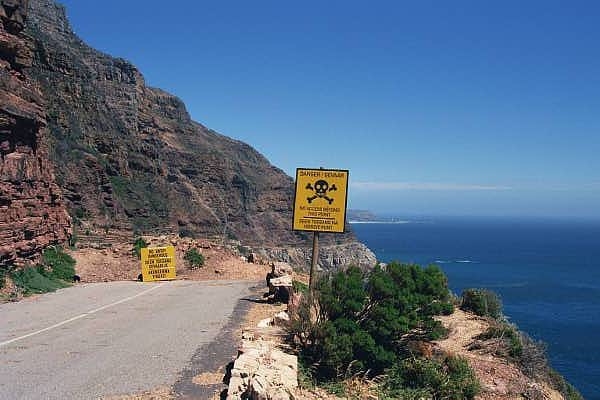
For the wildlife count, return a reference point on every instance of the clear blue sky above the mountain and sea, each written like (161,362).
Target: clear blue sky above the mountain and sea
(436,108)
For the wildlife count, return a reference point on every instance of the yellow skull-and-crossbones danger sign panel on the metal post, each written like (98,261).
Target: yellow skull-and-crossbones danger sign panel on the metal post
(320,200)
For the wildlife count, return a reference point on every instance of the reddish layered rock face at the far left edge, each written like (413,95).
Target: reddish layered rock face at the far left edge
(32,214)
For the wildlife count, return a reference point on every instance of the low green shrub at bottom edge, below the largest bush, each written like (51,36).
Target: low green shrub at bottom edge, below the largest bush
(417,378)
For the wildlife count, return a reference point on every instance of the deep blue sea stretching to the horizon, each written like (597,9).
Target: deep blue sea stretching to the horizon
(547,273)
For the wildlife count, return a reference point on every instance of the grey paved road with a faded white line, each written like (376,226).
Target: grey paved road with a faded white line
(104,339)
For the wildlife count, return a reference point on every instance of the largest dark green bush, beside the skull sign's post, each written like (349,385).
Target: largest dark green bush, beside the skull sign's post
(357,323)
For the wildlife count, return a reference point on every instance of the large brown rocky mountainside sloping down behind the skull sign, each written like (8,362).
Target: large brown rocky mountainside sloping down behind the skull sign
(129,157)
